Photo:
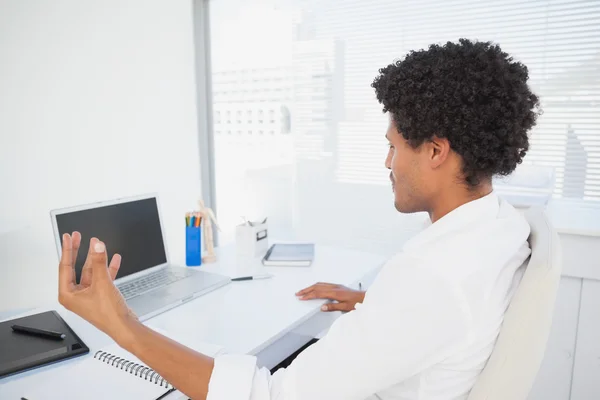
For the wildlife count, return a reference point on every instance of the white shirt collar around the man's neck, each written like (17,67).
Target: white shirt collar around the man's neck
(486,207)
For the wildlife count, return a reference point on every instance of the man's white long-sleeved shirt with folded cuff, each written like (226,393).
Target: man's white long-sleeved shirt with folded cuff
(427,325)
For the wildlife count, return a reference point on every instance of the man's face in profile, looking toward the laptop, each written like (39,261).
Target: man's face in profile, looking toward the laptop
(408,172)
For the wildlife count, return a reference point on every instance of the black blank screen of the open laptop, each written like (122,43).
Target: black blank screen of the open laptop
(131,229)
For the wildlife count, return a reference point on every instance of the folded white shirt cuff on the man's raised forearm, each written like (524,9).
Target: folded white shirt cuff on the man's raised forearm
(232,378)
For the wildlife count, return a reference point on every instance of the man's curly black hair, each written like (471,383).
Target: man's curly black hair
(471,93)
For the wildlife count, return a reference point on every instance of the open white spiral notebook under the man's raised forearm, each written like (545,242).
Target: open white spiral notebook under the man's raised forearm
(111,373)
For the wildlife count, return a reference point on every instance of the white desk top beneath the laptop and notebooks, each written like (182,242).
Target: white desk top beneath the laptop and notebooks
(262,317)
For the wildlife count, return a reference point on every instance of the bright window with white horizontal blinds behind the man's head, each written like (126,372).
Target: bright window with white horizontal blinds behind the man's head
(311,63)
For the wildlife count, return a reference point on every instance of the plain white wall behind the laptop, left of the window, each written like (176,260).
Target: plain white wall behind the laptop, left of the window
(97,101)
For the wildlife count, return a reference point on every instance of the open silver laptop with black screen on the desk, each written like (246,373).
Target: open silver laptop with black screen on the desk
(133,227)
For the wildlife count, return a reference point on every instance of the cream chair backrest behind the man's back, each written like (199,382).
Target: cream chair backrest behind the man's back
(513,365)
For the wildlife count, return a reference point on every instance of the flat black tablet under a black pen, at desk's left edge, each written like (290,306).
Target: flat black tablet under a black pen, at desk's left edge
(19,352)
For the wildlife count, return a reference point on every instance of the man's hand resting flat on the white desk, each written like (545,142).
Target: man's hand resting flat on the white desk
(345,297)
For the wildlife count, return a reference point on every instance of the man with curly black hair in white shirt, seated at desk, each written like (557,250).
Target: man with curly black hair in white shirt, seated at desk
(458,115)
